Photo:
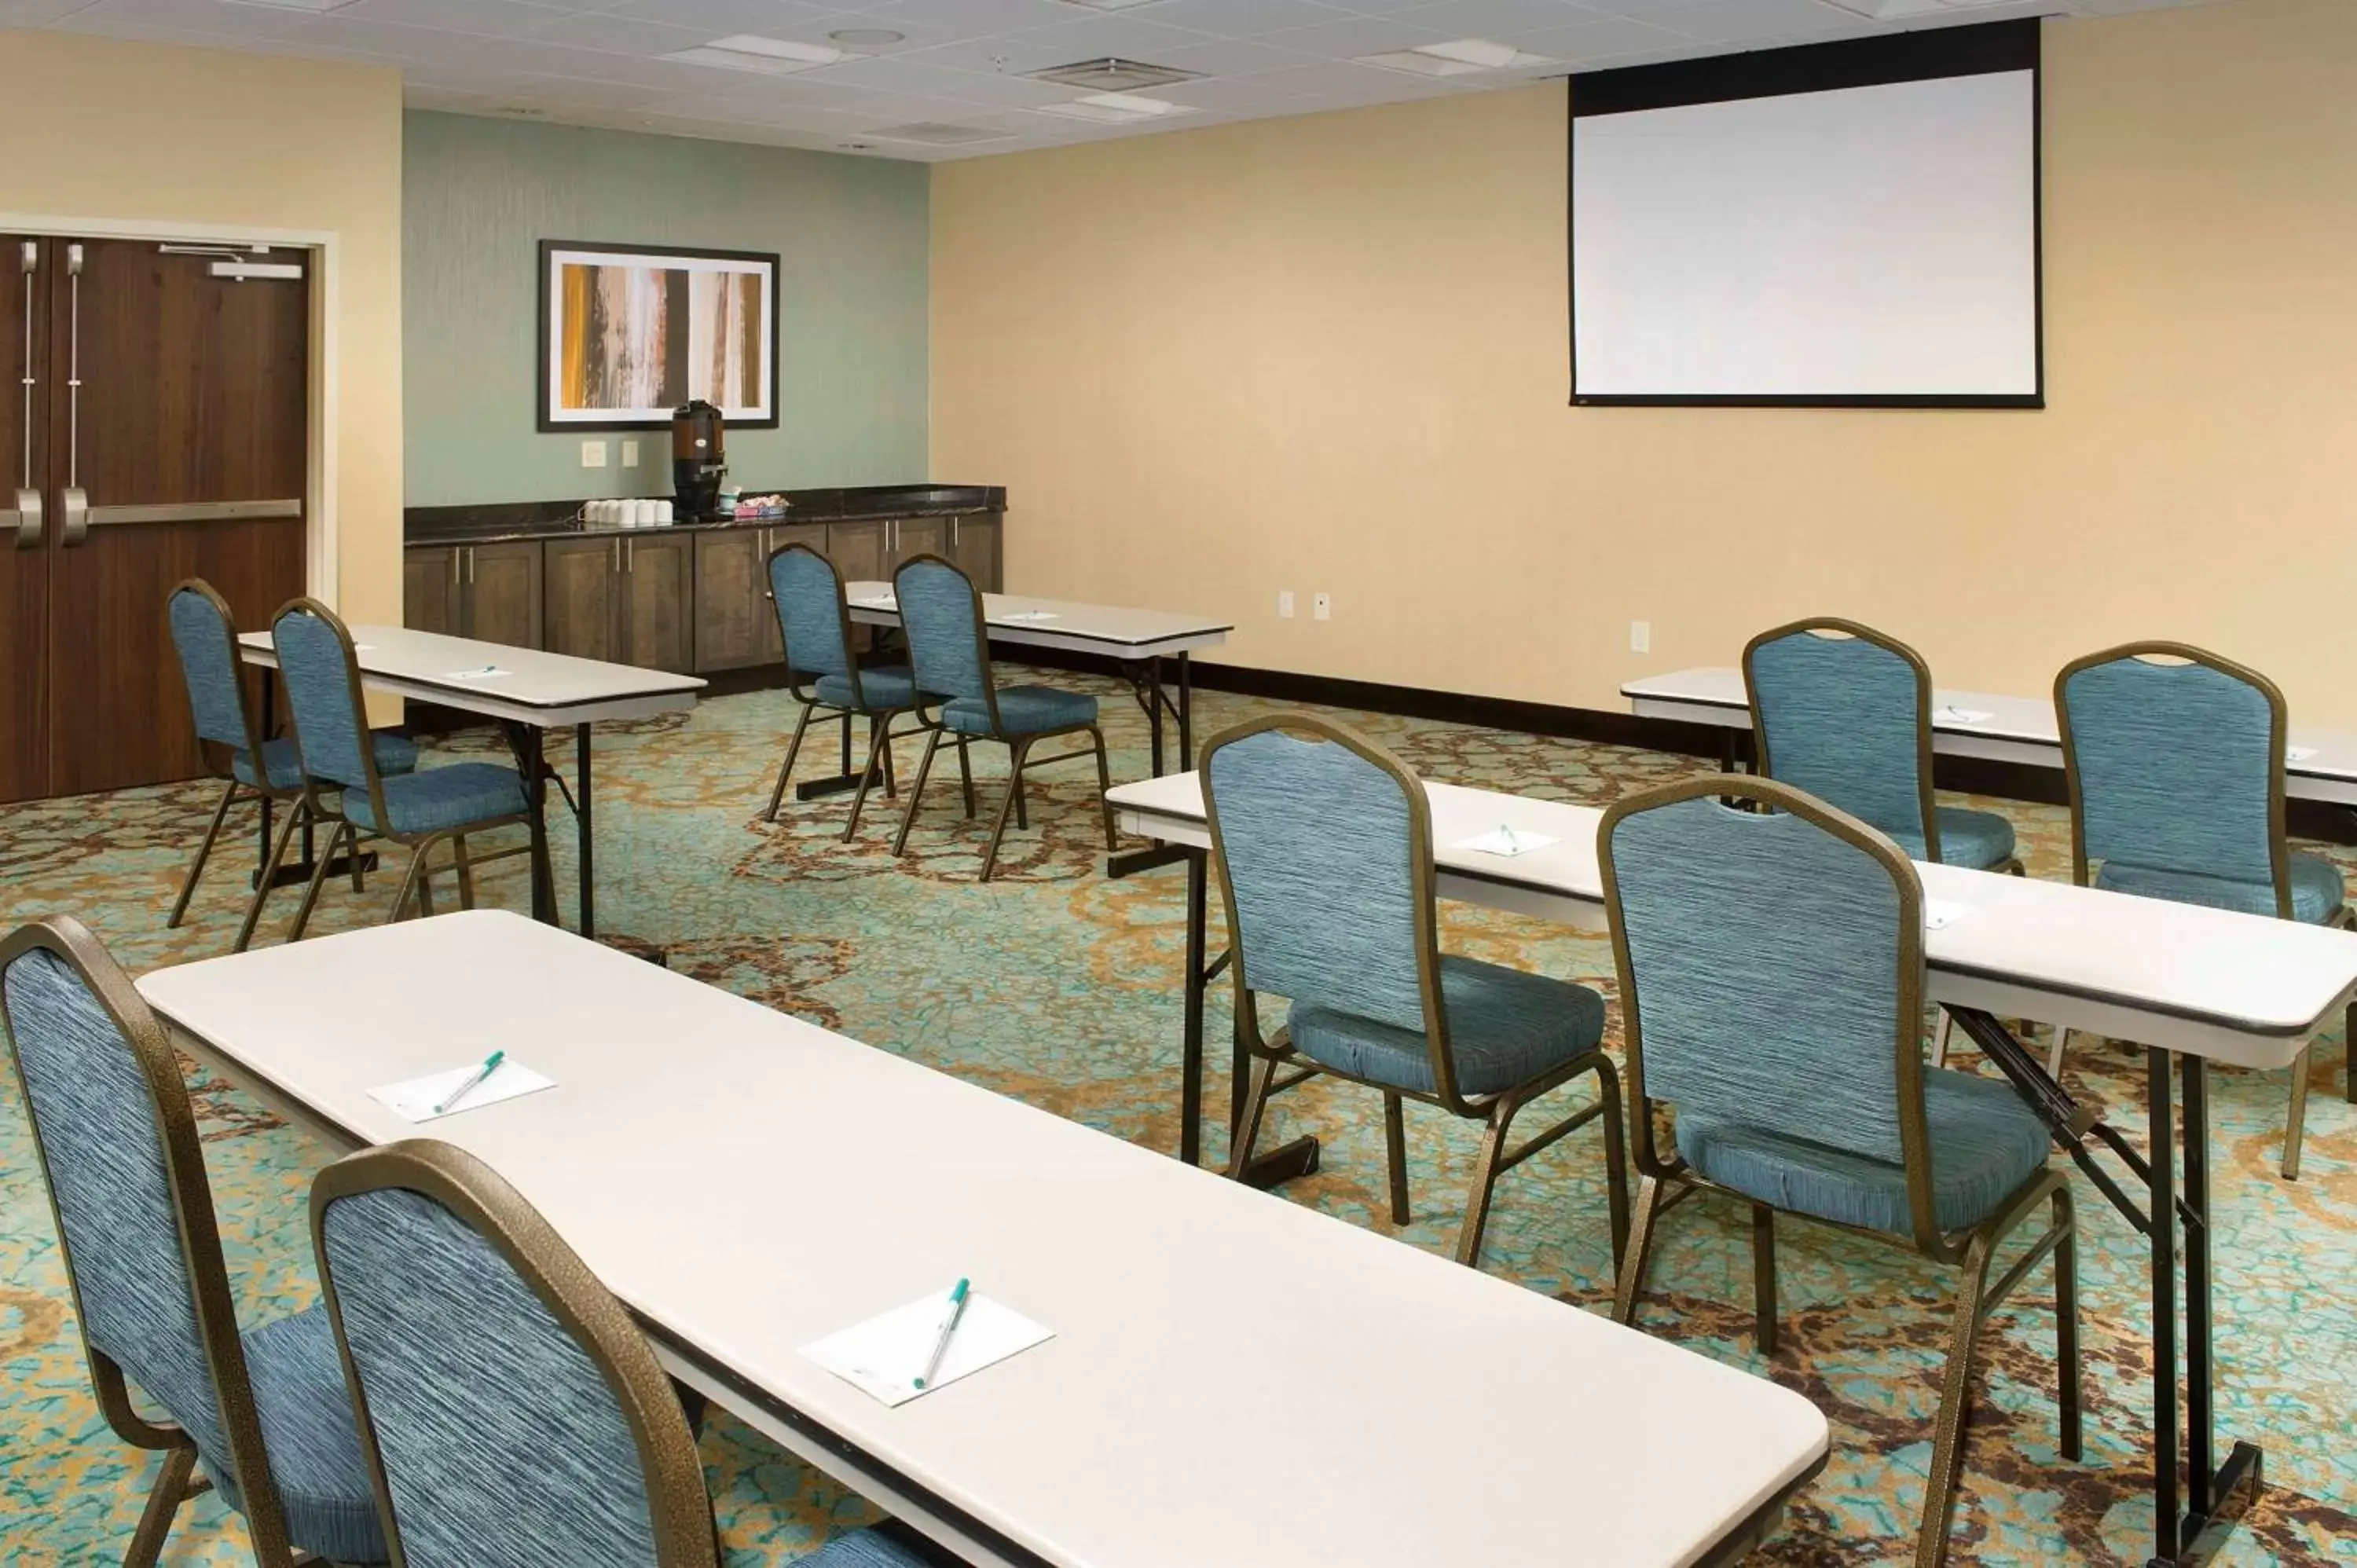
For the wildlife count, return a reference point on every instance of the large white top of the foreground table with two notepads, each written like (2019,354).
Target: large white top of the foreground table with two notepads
(758,1185)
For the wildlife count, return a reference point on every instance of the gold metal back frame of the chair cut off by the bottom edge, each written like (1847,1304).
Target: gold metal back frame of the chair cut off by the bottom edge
(680,1508)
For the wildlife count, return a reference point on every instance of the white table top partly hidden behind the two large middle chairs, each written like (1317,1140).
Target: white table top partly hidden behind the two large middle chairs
(2240,989)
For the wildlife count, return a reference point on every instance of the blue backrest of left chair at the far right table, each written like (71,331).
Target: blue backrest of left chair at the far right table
(1844,713)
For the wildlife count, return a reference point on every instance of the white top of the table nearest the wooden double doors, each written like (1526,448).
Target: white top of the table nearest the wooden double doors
(546,690)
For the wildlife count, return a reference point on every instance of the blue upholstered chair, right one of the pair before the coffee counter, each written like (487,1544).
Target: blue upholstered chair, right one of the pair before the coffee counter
(942,614)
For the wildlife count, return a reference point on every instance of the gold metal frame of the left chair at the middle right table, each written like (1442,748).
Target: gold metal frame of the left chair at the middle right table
(1498,1112)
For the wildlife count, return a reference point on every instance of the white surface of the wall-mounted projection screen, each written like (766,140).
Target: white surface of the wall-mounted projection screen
(1854,244)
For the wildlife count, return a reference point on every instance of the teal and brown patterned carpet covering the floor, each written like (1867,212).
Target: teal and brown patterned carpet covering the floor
(1062,989)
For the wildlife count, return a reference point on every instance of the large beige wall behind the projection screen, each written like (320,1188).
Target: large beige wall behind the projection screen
(1331,355)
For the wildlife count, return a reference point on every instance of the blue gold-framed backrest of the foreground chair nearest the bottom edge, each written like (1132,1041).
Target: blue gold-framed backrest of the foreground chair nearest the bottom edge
(510,1409)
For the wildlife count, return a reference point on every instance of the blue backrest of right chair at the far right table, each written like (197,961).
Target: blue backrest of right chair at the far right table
(2177,763)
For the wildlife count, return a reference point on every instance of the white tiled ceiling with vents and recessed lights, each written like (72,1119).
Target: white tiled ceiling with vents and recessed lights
(597,62)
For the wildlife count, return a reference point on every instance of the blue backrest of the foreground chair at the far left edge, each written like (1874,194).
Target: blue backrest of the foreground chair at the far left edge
(126,1173)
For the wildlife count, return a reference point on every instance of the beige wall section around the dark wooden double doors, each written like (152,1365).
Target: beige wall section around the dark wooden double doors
(152,133)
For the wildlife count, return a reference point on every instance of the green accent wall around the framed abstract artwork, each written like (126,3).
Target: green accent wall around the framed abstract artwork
(852,303)
